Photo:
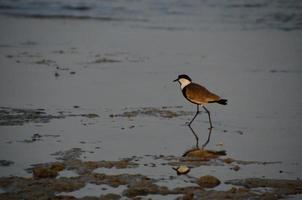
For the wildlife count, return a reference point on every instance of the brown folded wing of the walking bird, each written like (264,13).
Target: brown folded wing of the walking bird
(199,94)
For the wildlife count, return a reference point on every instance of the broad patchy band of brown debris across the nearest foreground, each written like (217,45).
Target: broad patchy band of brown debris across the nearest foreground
(45,184)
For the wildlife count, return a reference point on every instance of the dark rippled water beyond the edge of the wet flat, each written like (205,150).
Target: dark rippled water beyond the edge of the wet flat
(169,14)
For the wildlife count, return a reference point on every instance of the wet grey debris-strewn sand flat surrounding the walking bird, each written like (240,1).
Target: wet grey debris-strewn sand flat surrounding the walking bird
(103,92)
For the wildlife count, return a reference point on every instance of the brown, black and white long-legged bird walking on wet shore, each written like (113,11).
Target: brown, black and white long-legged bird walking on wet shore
(198,95)
